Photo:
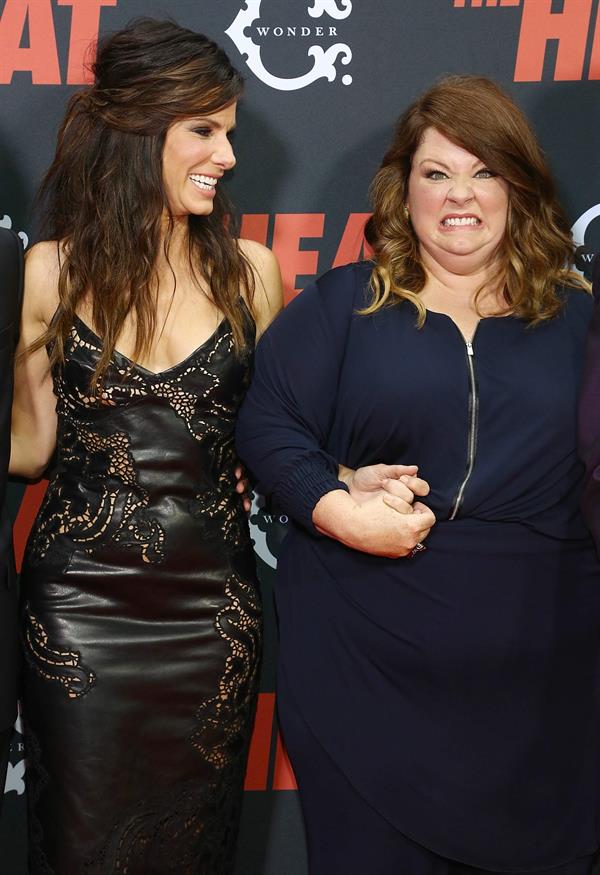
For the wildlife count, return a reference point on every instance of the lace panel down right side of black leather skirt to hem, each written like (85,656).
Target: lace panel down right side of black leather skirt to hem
(193,829)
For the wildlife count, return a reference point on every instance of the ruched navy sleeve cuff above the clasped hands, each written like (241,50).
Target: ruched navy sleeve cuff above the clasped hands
(303,483)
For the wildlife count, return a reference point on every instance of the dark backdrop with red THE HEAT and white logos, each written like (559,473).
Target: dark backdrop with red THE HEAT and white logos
(325,81)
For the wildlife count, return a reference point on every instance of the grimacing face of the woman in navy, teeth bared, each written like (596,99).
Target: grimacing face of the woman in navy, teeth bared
(458,207)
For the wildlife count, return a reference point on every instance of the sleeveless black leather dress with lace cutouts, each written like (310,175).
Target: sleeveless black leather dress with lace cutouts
(142,620)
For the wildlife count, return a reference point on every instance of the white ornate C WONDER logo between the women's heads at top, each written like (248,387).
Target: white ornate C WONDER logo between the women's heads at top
(324,61)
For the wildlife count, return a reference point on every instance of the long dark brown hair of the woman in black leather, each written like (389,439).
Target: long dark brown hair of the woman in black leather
(104,197)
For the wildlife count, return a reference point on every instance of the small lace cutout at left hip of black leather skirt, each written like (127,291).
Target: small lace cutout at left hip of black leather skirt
(63,666)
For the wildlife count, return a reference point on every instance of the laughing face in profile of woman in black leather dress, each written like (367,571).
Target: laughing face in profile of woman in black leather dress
(196,154)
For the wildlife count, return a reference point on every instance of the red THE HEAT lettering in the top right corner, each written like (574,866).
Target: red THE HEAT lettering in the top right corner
(570,28)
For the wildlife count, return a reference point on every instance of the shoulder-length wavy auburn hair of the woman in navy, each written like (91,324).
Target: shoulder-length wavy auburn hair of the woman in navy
(536,255)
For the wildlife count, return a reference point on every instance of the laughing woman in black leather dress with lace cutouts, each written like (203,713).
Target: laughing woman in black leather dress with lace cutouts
(142,620)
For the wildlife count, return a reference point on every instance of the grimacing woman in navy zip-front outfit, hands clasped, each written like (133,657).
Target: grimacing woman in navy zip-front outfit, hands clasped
(440,701)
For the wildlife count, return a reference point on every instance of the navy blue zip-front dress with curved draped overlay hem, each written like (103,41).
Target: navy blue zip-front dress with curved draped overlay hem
(458,690)
